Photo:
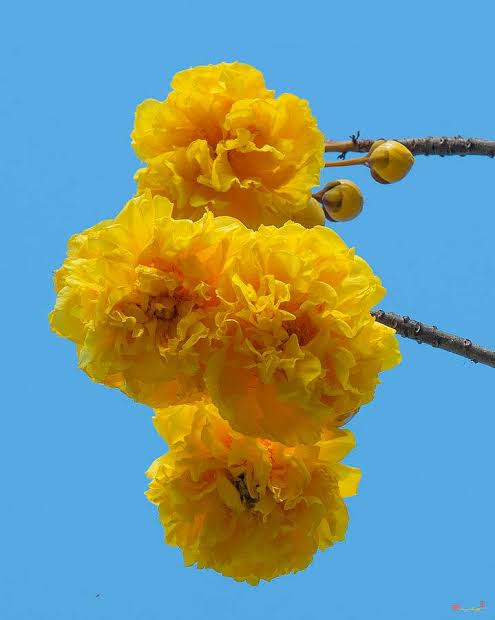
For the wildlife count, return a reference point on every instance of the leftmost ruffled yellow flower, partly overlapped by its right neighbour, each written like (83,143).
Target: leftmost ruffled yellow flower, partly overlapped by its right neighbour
(137,295)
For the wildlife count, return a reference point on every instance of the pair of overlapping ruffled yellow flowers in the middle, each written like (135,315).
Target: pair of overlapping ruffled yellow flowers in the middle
(275,324)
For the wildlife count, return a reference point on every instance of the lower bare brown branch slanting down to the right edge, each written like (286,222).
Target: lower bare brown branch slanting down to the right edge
(433,336)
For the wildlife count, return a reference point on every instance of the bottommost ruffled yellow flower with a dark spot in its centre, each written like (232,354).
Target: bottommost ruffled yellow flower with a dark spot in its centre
(249,508)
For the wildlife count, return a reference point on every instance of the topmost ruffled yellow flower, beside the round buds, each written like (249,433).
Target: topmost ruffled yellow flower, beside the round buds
(222,141)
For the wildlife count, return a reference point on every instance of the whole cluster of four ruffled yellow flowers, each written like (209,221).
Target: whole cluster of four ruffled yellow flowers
(216,297)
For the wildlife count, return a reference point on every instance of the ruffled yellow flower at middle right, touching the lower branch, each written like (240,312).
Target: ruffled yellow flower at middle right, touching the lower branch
(299,349)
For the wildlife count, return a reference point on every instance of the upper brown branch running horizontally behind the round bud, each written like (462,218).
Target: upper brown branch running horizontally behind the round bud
(441,145)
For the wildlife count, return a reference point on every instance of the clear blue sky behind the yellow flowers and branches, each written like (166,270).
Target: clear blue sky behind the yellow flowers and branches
(74,522)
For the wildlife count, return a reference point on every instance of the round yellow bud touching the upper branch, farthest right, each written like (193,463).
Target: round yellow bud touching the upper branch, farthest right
(389,161)
